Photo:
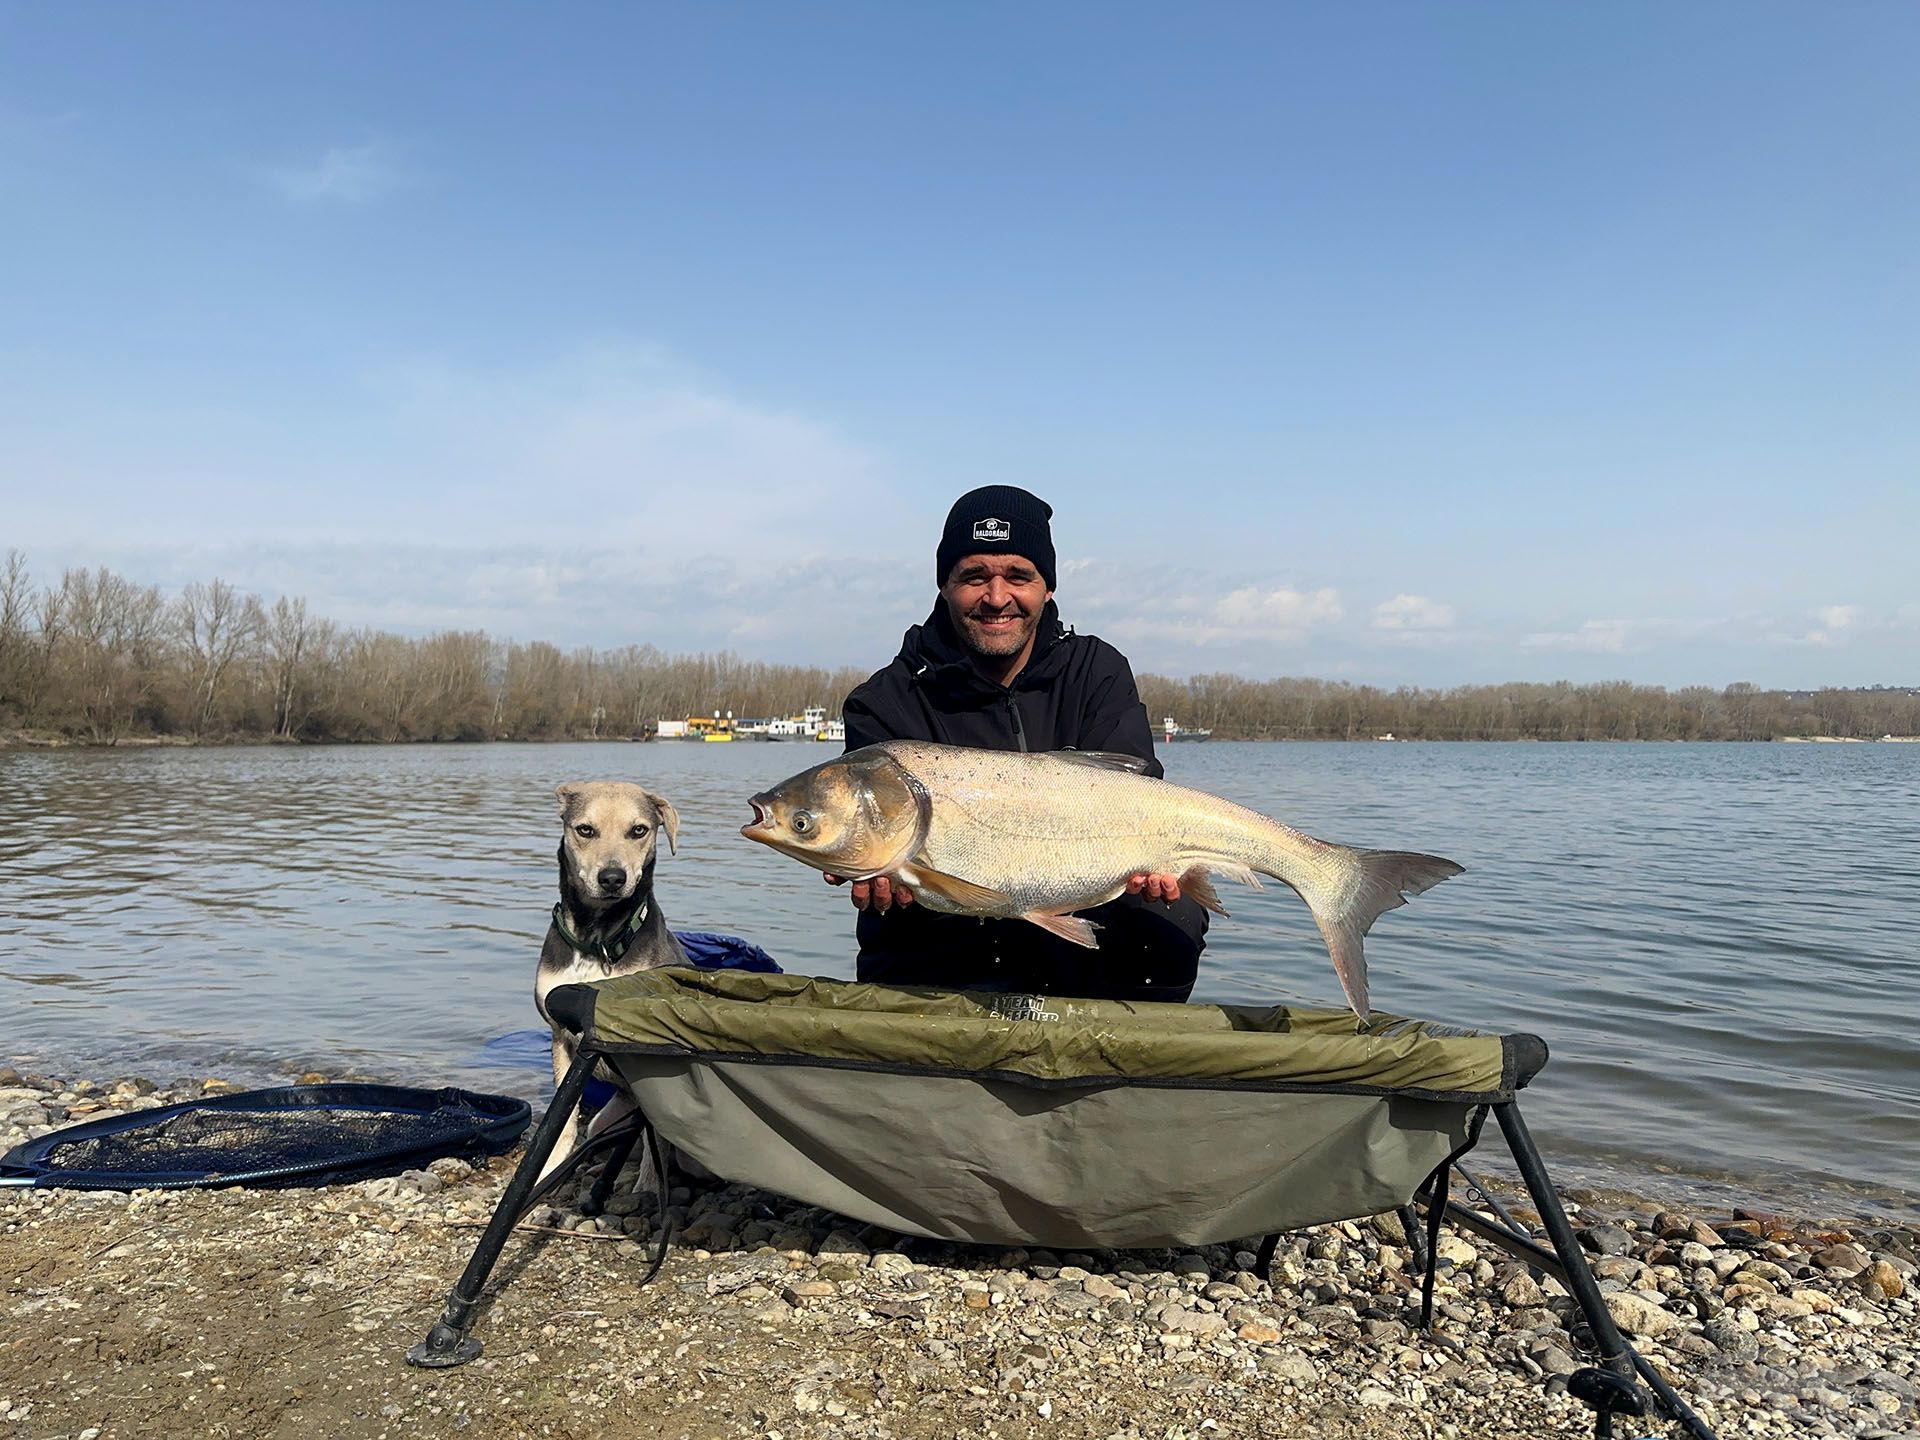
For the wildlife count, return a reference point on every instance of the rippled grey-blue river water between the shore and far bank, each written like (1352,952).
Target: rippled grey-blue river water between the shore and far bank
(1717,942)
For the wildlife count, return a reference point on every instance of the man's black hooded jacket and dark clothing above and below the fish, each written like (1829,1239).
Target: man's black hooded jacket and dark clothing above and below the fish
(1076,692)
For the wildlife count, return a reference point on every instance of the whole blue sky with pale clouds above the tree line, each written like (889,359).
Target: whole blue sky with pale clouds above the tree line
(1397,343)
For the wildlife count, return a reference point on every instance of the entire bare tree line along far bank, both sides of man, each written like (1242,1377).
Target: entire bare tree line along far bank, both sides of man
(105,660)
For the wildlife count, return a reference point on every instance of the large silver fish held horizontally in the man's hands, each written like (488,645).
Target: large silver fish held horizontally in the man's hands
(1042,836)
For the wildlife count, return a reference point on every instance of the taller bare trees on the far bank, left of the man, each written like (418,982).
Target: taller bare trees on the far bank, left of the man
(103,660)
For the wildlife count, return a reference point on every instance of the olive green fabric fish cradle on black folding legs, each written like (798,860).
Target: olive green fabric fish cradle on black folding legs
(1057,1122)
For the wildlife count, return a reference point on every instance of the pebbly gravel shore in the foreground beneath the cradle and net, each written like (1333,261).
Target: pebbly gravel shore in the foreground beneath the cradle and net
(287,1312)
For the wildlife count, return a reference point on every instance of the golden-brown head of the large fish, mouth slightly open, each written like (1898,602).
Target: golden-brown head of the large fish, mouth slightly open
(855,817)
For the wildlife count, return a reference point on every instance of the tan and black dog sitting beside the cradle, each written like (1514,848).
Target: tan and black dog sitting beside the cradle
(608,921)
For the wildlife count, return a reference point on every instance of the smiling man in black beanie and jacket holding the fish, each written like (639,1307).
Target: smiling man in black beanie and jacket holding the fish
(996,669)
